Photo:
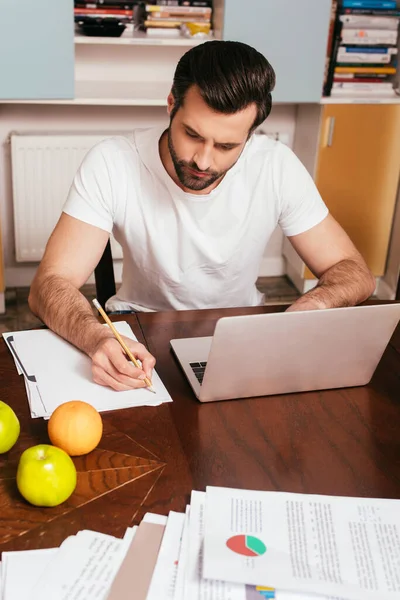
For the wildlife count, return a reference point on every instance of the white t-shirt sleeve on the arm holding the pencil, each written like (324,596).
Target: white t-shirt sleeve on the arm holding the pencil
(90,198)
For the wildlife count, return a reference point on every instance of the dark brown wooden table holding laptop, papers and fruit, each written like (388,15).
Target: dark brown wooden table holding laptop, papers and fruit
(344,442)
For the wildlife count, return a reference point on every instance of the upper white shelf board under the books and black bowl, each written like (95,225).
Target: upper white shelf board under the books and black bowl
(139,38)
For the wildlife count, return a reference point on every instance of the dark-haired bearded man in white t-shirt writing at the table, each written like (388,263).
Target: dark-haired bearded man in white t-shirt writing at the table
(193,208)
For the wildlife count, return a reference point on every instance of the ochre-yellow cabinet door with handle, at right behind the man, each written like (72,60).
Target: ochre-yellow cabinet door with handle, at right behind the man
(358,174)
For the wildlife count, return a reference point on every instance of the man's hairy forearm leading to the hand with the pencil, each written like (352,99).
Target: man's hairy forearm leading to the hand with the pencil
(66,311)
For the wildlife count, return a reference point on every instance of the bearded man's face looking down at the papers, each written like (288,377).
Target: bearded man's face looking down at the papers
(204,144)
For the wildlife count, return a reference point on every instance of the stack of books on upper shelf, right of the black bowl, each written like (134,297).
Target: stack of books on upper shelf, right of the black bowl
(167,17)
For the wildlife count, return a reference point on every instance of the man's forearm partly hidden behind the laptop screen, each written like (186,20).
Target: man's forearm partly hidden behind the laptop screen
(347,283)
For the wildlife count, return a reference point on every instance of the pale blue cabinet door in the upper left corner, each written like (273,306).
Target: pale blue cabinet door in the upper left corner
(36,49)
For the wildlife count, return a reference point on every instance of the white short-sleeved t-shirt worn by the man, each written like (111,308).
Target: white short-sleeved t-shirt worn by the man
(189,251)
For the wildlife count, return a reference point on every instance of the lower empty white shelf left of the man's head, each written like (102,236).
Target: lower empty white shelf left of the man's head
(109,93)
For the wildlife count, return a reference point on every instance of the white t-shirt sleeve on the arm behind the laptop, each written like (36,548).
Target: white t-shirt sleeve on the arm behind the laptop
(301,206)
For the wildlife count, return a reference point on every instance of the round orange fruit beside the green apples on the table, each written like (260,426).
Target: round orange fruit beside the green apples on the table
(76,427)
